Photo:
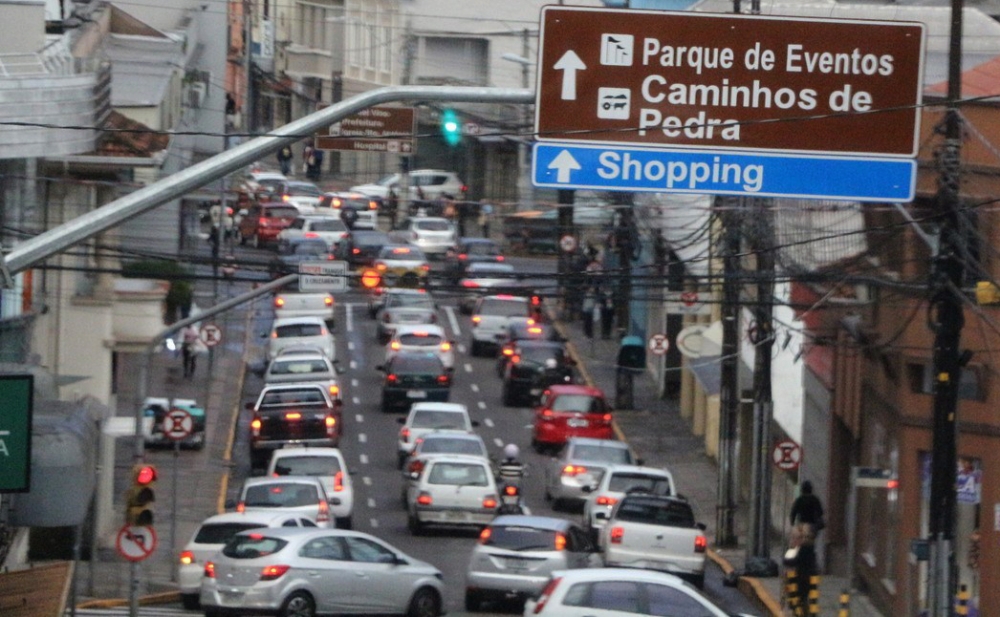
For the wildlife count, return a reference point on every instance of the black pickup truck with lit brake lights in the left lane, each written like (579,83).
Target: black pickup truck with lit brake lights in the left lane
(292,414)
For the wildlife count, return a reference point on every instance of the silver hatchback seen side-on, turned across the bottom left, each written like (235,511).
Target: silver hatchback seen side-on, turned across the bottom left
(295,572)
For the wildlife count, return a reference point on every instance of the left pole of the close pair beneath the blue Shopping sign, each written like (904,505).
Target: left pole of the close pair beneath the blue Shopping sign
(729,394)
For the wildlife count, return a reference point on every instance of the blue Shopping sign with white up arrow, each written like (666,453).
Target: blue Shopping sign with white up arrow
(753,174)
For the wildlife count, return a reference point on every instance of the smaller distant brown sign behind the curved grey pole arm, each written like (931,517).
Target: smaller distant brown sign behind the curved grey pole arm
(376,129)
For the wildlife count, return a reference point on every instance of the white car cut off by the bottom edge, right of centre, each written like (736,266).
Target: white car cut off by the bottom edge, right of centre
(607,592)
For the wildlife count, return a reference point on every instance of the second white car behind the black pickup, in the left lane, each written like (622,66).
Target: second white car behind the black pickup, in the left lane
(300,495)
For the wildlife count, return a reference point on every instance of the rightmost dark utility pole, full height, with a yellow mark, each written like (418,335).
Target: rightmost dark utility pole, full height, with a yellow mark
(946,321)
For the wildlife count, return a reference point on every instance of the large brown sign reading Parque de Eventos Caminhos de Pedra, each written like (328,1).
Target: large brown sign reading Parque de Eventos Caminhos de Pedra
(741,82)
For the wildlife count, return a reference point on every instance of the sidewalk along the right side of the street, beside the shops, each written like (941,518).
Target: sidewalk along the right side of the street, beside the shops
(659,435)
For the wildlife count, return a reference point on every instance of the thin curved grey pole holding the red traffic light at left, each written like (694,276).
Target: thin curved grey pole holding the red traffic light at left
(139,450)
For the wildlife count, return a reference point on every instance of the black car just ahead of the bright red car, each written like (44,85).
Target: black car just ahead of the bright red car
(534,366)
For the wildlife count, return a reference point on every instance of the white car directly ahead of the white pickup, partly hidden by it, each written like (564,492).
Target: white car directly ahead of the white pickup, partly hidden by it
(615,483)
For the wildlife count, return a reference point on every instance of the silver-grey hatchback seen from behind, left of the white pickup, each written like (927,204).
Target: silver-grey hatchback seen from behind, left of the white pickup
(516,554)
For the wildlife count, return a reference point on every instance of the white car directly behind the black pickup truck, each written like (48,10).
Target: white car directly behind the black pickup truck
(326,464)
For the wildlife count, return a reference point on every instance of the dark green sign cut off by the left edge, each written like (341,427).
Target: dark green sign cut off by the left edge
(16,406)
